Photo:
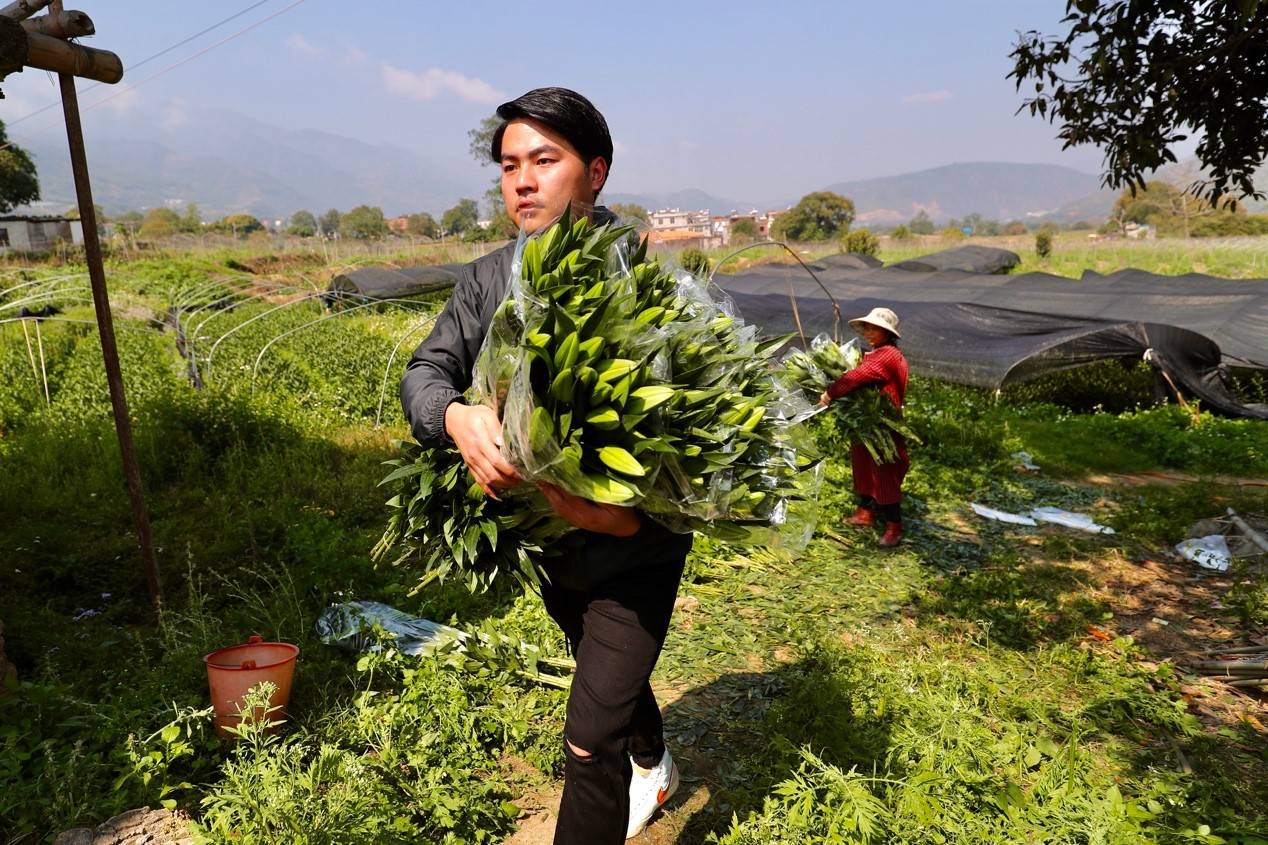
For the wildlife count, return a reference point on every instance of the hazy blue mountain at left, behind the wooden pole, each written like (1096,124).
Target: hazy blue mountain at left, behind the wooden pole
(228,163)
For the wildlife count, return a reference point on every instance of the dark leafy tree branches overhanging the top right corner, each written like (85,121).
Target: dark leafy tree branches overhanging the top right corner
(1137,77)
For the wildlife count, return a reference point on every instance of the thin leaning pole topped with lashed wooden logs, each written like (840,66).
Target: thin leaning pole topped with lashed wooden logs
(40,44)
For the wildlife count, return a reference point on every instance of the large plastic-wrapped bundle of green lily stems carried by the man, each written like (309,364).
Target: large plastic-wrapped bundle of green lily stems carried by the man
(622,381)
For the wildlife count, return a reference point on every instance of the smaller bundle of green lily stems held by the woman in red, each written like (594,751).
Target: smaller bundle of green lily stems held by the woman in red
(868,416)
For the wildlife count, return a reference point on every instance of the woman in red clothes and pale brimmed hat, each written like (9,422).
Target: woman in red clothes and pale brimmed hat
(879,485)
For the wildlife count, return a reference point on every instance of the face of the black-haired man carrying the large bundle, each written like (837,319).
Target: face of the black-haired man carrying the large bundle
(543,174)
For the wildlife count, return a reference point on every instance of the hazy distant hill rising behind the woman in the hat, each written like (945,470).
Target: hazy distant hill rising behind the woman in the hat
(1000,191)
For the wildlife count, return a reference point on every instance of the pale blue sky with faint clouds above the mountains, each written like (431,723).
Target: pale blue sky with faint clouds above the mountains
(745,101)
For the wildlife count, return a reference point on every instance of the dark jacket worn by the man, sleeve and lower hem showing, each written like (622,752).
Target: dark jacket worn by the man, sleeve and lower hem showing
(441,371)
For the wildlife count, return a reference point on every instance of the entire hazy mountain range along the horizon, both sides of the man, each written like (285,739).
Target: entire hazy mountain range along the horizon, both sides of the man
(228,163)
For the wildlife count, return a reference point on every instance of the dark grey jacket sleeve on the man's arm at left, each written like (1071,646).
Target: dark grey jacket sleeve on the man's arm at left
(442,366)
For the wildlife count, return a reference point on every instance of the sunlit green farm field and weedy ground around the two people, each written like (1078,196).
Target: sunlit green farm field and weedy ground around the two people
(981,685)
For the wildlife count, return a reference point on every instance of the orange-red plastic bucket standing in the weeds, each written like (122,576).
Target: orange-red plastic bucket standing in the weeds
(235,671)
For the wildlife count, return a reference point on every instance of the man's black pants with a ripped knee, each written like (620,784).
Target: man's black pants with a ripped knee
(616,631)
